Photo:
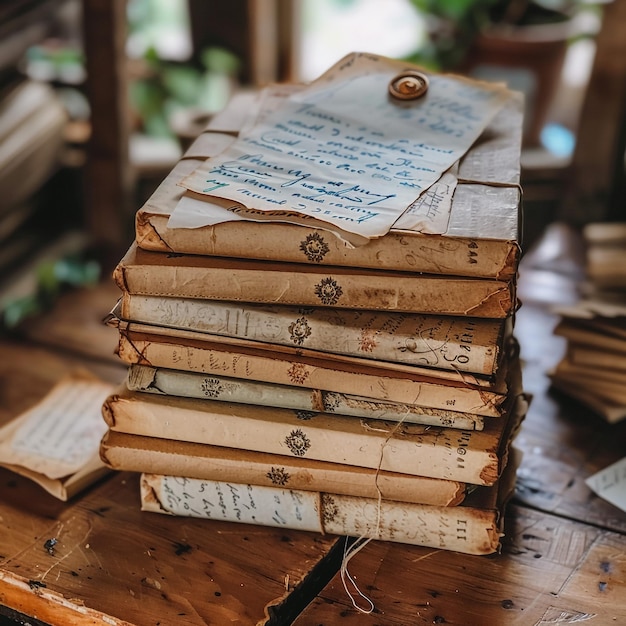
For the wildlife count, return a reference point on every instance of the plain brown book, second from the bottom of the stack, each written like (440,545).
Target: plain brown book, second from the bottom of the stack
(136,453)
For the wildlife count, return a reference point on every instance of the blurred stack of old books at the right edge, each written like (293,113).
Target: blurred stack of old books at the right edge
(593,369)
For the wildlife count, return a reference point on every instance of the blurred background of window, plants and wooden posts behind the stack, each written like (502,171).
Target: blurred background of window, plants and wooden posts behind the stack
(98,100)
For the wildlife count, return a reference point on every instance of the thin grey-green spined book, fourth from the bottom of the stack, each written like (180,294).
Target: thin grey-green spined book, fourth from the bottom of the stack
(191,385)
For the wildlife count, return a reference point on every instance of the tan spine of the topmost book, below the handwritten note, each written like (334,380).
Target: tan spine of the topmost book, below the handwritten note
(397,251)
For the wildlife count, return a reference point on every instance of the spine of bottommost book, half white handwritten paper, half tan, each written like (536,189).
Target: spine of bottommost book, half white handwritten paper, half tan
(467,530)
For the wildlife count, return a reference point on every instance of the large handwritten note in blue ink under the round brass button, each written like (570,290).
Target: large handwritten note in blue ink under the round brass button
(341,151)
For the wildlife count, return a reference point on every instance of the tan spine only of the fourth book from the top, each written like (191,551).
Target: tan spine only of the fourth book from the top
(224,361)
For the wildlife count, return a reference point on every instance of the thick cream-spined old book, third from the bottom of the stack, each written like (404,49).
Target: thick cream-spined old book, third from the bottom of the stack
(475,457)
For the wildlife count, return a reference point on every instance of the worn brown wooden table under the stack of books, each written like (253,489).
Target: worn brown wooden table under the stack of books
(563,557)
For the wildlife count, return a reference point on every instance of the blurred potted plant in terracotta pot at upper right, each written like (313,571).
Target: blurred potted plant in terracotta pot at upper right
(521,41)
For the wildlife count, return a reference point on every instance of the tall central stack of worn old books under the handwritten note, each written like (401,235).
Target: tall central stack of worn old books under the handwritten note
(278,376)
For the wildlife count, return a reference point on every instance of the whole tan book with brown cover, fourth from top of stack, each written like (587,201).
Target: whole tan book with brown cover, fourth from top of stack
(194,352)
